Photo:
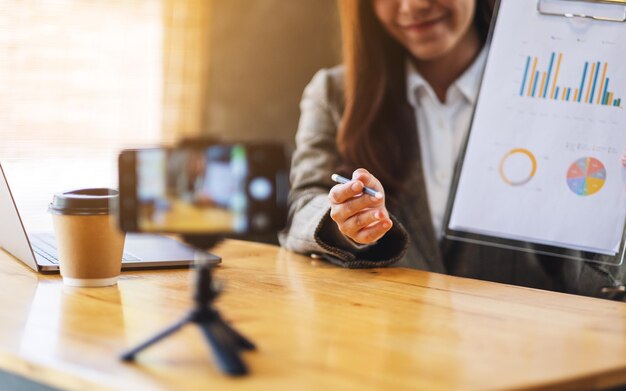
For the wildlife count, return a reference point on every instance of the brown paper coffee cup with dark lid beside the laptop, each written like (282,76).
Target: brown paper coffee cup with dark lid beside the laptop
(90,245)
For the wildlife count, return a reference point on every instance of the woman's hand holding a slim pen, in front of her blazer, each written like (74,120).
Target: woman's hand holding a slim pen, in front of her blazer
(359,216)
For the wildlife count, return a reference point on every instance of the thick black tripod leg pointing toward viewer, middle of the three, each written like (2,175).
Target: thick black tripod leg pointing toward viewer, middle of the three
(226,353)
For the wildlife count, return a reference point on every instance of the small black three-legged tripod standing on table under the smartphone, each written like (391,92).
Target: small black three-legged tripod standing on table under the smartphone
(225,341)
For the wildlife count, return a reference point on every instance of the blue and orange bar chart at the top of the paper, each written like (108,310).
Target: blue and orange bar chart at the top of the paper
(594,86)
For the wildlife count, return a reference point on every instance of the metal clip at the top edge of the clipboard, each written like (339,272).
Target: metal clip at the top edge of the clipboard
(602,10)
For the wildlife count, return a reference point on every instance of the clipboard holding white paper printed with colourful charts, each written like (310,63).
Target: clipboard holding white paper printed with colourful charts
(540,170)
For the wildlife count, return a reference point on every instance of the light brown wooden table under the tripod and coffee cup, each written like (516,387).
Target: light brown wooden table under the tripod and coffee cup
(317,327)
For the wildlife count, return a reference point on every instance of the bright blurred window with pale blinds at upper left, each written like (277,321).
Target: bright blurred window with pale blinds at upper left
(80,79)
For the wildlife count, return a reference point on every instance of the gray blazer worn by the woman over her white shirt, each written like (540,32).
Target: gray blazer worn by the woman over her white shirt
(411,242)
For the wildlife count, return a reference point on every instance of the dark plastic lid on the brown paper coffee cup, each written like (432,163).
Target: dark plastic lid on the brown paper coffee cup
(96,201)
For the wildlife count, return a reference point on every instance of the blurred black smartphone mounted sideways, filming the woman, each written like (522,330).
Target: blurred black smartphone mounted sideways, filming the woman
(235,188)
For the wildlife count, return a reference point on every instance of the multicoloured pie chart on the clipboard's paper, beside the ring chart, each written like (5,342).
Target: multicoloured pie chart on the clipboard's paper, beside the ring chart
(586,176)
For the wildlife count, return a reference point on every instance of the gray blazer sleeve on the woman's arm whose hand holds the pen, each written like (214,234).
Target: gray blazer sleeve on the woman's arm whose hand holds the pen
(310,228)
